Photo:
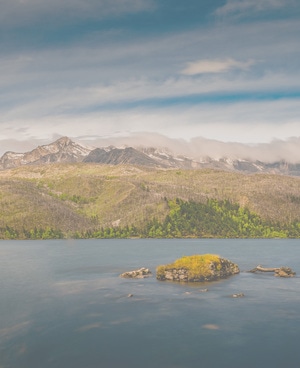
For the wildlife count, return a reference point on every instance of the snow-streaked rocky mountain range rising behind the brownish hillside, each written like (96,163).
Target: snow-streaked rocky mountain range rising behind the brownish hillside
(64,150)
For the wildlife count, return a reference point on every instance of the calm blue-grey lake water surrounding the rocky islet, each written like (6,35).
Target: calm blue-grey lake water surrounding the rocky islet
(63,305)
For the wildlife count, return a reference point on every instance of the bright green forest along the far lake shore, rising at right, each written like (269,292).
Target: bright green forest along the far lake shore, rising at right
(185,219)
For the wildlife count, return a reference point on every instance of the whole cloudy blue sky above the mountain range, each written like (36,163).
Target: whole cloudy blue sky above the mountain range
(196,72)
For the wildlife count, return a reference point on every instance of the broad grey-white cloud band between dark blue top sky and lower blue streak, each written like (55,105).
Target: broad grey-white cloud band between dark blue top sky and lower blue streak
(128,71)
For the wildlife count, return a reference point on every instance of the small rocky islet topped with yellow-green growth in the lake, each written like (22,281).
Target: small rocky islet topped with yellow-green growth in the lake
(197,268)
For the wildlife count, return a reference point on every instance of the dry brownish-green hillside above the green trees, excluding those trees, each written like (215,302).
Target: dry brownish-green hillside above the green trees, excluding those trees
(82,196)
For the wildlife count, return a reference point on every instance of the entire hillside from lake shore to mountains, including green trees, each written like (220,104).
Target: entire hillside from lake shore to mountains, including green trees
(85,200)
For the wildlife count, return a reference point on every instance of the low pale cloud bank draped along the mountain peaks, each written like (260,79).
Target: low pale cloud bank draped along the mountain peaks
(197,148)
